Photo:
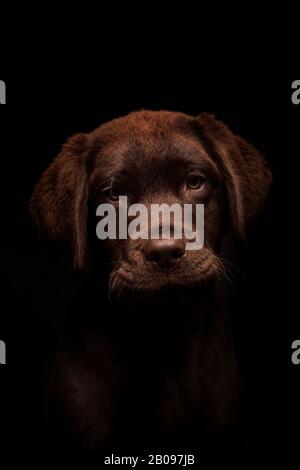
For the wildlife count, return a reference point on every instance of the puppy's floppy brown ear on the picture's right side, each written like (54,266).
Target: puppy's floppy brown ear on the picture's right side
(247,175)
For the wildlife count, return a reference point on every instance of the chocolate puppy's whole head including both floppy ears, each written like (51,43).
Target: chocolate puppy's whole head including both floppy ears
(152,158)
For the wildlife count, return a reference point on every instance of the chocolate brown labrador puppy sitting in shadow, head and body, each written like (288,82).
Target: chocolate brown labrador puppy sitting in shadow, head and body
(146,346)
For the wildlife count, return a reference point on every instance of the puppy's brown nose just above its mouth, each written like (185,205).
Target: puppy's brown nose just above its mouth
(164,253)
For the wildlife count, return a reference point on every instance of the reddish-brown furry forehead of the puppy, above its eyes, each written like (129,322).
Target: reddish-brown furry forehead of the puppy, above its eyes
(151,140)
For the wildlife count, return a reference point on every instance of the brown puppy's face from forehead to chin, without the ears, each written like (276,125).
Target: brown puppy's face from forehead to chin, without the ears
(153,161)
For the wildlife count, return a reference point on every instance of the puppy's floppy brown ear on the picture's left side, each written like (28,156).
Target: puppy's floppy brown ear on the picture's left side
(58,205)
